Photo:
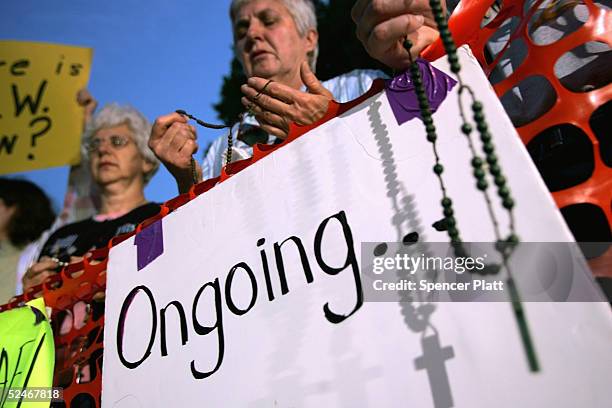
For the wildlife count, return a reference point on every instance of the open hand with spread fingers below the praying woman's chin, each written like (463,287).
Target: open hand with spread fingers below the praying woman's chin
(277,105)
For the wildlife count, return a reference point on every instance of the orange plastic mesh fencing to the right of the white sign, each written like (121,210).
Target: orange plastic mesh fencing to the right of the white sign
(585,108)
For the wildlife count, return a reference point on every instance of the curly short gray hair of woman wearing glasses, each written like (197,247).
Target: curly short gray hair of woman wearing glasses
(112,115)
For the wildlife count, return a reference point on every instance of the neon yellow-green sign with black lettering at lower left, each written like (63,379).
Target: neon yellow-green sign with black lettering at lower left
(27,357)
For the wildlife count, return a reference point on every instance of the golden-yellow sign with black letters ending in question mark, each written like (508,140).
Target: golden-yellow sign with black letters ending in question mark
(40,120)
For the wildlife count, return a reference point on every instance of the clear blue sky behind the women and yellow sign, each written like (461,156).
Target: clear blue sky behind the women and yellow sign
(155,55)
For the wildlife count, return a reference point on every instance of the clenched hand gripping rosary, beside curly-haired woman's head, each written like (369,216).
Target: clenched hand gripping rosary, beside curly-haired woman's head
(174,142)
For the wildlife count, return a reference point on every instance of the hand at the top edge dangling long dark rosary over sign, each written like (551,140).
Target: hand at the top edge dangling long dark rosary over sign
(382,26)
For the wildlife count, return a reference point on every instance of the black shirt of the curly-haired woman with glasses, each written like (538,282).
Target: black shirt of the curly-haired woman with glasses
(78,238)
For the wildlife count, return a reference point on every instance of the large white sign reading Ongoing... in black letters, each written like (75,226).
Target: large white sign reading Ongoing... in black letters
(255,299)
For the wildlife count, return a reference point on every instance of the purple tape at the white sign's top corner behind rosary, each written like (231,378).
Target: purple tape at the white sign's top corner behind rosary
(403,99)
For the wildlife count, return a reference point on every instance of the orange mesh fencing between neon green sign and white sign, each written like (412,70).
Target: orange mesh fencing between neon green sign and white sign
(77,291)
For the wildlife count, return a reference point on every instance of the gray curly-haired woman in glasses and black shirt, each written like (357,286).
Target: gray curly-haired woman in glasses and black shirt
(121,164)
